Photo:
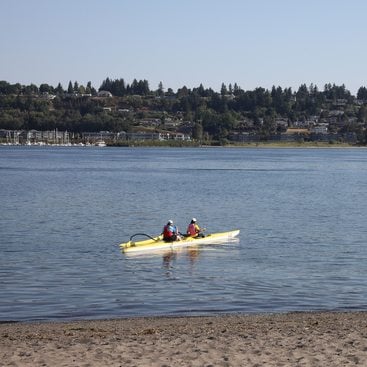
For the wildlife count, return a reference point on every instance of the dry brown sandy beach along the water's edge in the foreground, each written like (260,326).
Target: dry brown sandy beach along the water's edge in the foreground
(295,339)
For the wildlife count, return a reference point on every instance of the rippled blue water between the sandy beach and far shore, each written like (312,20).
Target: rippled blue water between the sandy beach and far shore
(63,211)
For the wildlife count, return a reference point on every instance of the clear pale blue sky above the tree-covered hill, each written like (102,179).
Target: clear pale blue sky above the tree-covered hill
(254,43)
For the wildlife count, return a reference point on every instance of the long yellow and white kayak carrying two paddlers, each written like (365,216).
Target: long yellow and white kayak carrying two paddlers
(156,243)
